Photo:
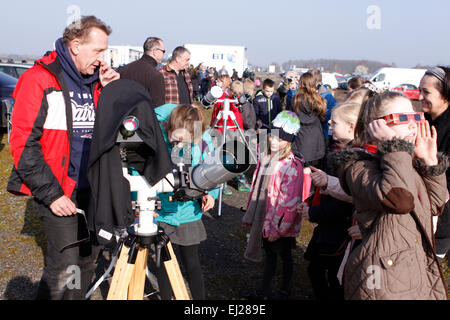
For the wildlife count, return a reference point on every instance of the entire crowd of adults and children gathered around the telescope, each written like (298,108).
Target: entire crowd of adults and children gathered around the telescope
(379,170)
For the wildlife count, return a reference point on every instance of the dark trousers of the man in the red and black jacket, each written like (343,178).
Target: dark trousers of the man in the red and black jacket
(67,274)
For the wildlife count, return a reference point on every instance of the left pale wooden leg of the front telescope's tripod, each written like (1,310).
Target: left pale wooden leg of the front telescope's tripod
(121,278)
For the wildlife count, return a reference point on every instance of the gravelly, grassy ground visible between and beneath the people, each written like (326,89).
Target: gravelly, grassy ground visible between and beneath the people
(226,272)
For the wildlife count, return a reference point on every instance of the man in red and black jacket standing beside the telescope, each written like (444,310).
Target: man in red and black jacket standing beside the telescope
(52,126)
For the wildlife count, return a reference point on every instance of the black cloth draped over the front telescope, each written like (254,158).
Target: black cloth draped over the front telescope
(110,204)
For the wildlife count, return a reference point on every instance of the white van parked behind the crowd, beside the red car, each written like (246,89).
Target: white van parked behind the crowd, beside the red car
(394,77)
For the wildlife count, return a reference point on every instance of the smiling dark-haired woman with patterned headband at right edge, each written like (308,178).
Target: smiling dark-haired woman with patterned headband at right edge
(435,99)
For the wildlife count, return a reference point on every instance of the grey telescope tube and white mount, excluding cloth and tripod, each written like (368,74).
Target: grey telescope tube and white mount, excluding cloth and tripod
(186,182)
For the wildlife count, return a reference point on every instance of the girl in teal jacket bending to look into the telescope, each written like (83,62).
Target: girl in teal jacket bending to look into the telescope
(182,126)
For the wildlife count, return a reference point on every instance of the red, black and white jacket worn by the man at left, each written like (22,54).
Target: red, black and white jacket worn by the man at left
(41,132)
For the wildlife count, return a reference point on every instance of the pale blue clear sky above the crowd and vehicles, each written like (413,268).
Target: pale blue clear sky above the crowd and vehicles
(404,32)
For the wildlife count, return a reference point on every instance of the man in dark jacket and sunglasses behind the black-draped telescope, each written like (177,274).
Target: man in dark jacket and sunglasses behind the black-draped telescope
(144,70)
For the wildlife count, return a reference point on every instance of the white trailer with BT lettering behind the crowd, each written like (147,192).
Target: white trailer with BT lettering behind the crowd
(232,57)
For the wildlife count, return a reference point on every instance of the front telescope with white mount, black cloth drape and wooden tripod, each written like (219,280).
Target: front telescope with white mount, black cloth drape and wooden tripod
(129,167)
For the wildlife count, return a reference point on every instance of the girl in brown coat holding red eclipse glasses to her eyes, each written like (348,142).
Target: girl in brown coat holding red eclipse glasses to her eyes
(397,180)
